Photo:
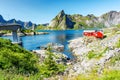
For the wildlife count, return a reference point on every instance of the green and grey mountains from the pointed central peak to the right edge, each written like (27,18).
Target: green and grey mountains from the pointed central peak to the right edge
(77,21)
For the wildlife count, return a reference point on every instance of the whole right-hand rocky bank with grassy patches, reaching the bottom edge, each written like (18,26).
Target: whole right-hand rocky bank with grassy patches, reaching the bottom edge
(93,57)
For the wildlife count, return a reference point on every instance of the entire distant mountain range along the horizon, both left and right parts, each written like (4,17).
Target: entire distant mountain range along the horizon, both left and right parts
(63,21)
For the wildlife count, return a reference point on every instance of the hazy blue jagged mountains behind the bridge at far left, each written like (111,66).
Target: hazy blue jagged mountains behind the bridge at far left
(26,25)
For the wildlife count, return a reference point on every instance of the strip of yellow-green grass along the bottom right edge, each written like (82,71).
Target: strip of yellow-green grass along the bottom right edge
(107,75)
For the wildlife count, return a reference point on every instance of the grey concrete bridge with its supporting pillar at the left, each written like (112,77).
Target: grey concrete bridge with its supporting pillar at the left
(14,28)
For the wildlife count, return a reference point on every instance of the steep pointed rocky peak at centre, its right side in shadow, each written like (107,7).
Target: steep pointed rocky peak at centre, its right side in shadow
(61,21)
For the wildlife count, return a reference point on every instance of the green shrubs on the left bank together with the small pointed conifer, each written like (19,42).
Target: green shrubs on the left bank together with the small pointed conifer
(17,63)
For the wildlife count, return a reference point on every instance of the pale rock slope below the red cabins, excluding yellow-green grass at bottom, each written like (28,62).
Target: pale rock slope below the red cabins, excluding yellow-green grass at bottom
(92,53)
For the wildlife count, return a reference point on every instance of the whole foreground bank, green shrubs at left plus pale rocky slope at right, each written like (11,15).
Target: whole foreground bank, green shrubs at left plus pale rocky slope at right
(95,59)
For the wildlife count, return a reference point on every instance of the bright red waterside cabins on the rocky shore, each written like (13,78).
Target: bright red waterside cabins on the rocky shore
(95,33)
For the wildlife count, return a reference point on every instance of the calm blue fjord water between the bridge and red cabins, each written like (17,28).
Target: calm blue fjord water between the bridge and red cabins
(55,36)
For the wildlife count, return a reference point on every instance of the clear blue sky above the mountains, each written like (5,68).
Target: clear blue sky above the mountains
(43,11)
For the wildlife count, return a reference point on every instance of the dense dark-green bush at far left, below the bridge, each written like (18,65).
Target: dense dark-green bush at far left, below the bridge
(15,58)
